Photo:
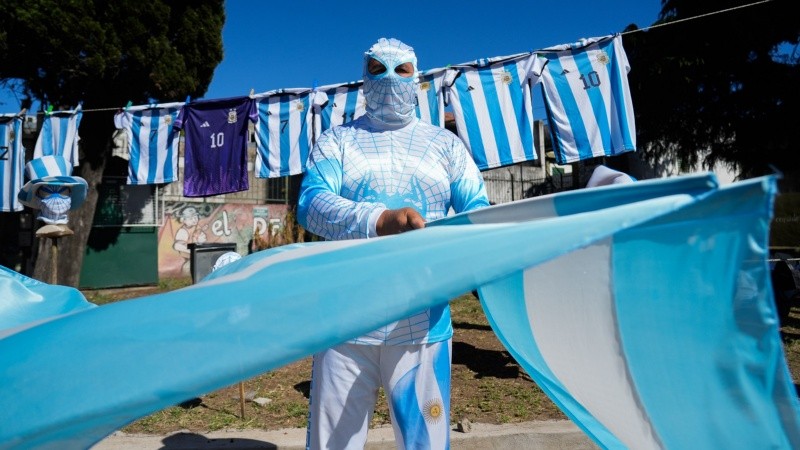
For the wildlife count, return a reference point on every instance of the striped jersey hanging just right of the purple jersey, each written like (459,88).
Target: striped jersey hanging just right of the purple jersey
(283,132)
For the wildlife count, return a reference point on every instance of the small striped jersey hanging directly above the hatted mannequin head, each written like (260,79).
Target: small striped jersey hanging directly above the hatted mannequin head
(59,135)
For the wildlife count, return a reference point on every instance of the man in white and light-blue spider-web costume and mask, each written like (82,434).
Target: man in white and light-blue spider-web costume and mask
(386,173)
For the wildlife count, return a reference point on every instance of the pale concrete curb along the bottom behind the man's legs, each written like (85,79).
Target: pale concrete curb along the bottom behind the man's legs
(555,435)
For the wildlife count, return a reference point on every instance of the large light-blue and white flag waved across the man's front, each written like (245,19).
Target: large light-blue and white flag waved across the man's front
(644,310)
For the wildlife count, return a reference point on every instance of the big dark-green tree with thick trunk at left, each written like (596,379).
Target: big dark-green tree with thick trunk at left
(105,54)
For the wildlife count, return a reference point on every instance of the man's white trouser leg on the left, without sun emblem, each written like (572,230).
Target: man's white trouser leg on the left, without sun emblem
(344,389)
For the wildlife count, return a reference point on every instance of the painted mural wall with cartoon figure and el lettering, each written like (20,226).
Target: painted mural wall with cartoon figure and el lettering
(208,223)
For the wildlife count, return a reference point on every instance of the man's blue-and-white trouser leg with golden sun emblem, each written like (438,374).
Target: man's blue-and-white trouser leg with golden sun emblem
(418,391)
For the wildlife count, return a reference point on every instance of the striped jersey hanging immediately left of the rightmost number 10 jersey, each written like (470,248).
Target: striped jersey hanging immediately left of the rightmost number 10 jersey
(493,108)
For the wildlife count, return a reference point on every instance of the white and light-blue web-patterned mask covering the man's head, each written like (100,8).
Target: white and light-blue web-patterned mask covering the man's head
(391,98)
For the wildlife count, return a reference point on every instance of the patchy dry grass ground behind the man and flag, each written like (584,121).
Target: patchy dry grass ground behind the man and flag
(488,386)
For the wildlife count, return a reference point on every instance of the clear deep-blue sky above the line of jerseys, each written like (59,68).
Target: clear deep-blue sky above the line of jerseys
(281,44)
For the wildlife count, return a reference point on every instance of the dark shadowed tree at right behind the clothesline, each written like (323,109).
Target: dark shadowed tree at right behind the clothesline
(719,89)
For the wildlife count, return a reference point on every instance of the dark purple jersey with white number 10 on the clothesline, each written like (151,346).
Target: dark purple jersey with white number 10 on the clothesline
(215,151)
